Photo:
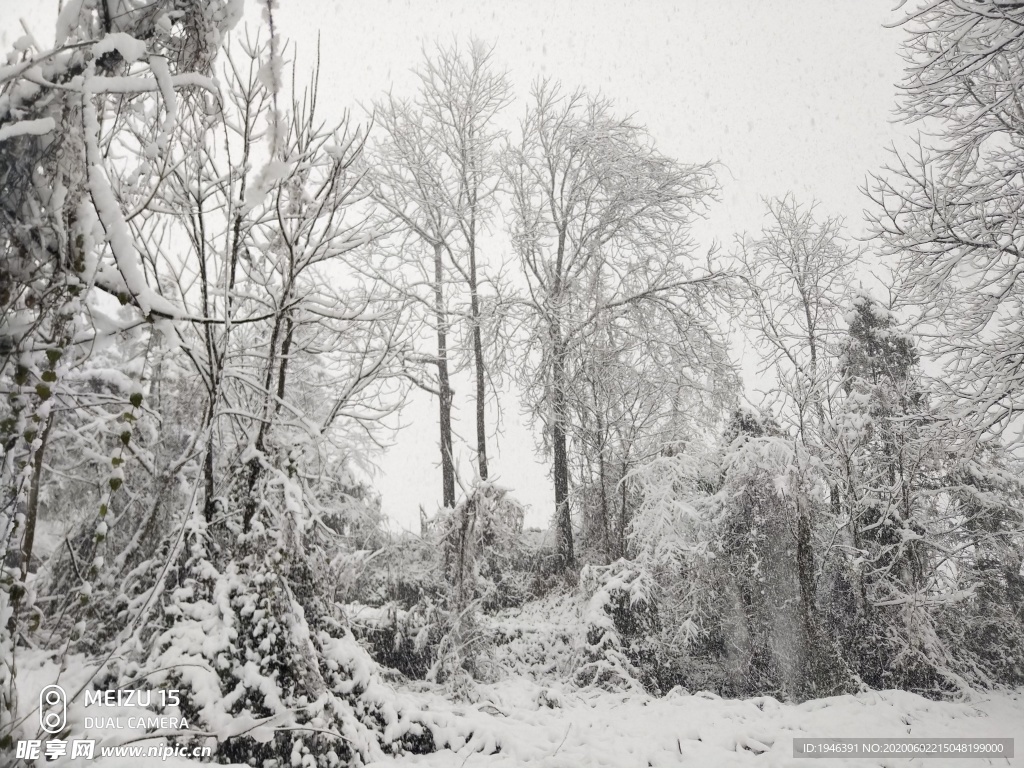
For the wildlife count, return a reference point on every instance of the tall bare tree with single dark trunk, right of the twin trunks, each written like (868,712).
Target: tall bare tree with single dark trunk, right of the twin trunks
(601,225)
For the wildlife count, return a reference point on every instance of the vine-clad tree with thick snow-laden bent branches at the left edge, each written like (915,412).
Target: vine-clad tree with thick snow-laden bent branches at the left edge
(113,69)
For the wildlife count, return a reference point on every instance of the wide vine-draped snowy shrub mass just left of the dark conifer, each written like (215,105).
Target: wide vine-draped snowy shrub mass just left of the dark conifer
(730,539)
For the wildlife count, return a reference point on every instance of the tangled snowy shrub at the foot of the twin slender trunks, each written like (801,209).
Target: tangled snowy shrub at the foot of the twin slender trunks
(426,593)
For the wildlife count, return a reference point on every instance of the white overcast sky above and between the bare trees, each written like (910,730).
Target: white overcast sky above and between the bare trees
(789,96)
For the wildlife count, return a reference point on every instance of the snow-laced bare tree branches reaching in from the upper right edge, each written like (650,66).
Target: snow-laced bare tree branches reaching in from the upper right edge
(949,214)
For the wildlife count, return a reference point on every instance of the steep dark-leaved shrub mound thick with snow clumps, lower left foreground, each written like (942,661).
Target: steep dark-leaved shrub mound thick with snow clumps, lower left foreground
(264,660)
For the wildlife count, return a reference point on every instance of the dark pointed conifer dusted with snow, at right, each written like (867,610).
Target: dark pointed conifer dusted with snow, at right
(895,453)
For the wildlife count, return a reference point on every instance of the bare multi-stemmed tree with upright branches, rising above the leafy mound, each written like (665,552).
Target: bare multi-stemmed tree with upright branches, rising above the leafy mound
(294,349)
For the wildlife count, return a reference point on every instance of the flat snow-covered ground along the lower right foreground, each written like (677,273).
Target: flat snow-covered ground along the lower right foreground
(514,724)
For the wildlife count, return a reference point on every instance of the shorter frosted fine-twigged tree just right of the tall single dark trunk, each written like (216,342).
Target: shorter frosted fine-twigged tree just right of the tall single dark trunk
(638,389)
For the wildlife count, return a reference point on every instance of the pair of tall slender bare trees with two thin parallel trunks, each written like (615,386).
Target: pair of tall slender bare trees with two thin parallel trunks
(436,174)
